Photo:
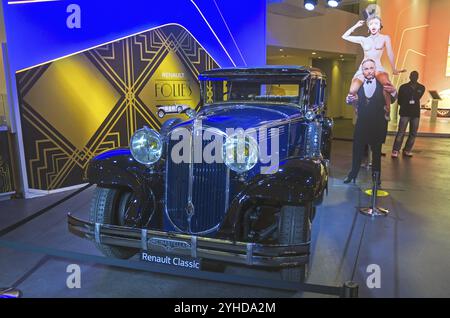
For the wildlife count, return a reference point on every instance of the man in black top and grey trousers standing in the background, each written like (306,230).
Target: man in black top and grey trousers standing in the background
(409,96)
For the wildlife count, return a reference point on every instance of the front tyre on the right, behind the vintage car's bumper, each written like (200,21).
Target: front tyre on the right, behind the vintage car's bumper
(294,228)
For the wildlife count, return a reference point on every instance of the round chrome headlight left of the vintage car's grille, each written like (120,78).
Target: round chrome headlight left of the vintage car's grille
(146,146)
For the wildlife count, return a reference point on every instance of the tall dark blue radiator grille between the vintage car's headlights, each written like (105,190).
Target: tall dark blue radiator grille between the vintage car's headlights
(209,187)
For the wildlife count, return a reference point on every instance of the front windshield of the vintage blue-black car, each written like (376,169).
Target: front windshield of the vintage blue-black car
(220,91)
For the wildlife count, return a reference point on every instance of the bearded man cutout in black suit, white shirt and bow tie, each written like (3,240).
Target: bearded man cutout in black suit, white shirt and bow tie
(371,124)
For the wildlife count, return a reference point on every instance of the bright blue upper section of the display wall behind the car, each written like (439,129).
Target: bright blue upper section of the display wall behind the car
(232,31)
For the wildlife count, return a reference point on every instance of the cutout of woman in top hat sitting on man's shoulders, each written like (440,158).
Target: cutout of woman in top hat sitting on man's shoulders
(373,46)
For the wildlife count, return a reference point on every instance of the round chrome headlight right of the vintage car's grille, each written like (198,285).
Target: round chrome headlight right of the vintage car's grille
(240,152)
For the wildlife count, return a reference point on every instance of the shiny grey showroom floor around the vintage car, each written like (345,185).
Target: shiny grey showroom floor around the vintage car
(411,246)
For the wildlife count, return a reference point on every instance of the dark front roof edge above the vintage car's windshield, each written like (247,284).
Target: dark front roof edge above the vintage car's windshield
(269,71)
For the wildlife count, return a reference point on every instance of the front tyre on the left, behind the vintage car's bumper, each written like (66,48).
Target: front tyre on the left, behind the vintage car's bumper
(108,206)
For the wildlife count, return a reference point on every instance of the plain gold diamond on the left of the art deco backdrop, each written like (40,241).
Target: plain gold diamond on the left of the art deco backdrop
(74,98)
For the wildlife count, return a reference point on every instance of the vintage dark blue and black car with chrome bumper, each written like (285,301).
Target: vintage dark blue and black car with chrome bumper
(157,198)
